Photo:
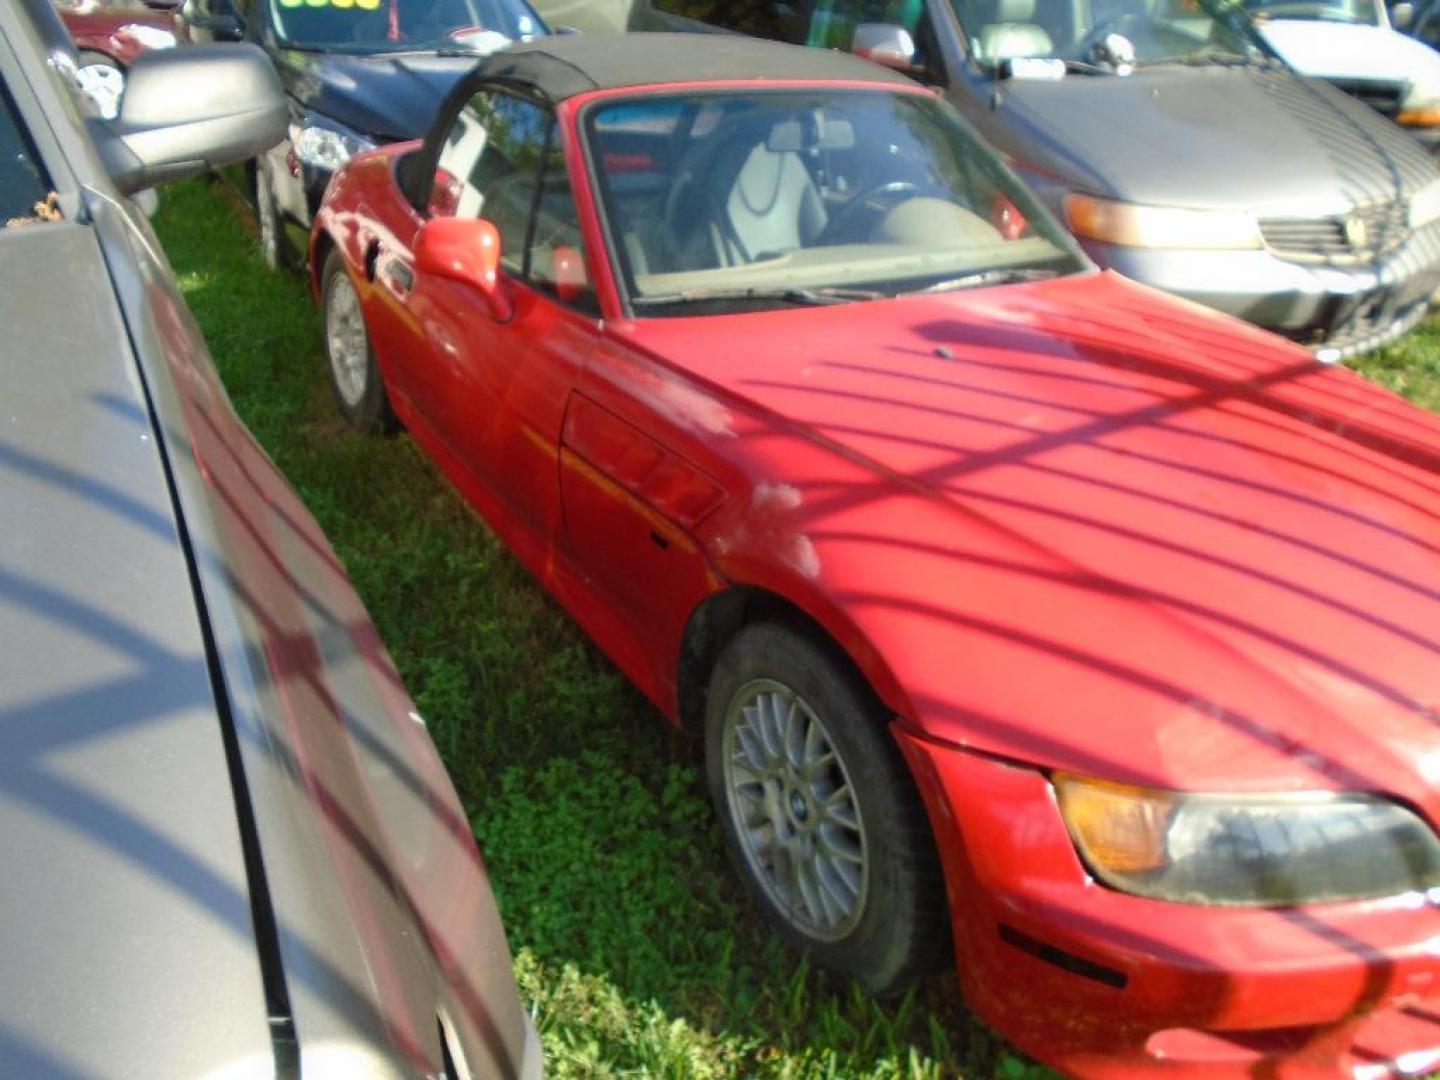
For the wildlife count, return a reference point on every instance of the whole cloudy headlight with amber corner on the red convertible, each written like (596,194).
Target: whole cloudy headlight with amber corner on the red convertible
(1256,850)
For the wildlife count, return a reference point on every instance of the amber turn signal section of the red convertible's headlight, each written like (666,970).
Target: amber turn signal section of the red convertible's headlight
(1118,827)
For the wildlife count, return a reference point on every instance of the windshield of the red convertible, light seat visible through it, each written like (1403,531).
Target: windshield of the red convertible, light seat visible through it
(810,197)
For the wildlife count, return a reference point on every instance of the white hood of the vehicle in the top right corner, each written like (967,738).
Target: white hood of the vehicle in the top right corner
(1344,51)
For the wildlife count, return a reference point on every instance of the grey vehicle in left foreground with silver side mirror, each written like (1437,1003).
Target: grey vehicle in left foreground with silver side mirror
(228,845)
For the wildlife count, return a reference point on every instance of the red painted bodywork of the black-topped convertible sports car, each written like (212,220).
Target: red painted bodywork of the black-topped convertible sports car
(1071,525)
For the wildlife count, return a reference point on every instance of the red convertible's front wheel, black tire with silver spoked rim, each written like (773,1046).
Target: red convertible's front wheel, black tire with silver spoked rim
(899,928)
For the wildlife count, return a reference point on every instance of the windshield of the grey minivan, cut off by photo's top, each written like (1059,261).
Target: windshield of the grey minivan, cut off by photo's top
(1102,37)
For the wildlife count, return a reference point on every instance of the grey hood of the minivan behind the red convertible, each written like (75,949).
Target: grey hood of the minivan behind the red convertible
(1238,139)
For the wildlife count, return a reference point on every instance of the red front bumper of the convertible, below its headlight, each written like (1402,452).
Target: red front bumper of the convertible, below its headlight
(1101,984)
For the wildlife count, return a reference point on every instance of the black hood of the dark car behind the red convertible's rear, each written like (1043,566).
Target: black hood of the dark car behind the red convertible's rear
(387,99)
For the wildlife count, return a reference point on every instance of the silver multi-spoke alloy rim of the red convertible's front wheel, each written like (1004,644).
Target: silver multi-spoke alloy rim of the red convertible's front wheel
(796,811)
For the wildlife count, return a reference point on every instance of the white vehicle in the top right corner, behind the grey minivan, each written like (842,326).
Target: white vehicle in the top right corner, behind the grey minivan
(1353,45)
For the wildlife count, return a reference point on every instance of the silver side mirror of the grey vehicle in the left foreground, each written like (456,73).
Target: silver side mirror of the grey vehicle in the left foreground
(188,112)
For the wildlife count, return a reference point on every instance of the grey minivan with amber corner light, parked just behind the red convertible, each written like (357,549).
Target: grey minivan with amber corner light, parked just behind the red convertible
(1174,145)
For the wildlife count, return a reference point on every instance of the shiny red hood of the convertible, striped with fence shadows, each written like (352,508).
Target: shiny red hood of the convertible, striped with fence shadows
(1095,529)
